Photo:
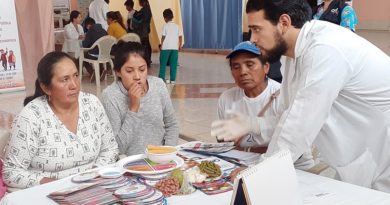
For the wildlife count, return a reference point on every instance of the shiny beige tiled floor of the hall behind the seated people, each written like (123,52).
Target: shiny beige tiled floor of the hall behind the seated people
(200,80)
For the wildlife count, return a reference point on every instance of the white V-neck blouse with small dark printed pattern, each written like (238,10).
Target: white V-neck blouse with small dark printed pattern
(41,146)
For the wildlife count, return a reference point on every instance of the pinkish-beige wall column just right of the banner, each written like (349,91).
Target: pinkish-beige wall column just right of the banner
(37,38)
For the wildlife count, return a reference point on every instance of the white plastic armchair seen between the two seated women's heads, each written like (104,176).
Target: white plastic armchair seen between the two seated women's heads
(104,44)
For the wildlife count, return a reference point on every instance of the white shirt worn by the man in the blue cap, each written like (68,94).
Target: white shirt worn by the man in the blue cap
(235,99)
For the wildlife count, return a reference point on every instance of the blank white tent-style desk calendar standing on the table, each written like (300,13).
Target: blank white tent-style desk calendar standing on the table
(272,182)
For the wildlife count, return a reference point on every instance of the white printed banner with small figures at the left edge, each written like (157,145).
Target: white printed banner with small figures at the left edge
(11,69)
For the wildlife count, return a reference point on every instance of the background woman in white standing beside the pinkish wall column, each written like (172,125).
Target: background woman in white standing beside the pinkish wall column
(73,34)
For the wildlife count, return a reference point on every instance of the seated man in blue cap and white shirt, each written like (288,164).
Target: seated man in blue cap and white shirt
(255,95)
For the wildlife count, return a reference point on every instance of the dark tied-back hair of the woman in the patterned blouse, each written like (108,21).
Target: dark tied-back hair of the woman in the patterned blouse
(45,72)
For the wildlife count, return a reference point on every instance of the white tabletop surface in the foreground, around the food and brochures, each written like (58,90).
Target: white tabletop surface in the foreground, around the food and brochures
(316,190)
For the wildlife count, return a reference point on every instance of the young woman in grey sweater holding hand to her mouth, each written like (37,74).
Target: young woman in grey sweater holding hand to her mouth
(138,106)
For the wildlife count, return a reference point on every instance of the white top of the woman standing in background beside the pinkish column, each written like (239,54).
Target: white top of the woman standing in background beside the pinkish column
(72,43)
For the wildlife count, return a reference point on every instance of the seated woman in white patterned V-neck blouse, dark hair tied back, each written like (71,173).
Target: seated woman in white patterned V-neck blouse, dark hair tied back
(60,131)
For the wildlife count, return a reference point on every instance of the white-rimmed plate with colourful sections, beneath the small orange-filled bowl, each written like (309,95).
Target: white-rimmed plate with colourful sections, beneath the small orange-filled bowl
(140,164)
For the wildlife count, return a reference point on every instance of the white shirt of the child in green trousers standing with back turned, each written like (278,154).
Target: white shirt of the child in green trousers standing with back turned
(171,32)
